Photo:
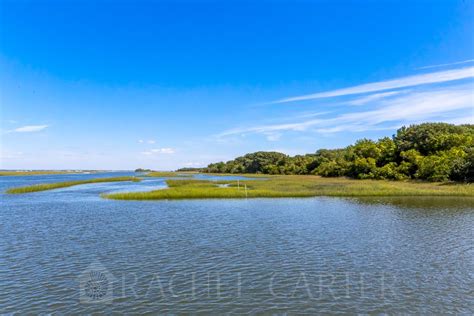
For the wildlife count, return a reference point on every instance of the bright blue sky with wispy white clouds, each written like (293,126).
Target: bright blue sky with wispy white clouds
(169,84)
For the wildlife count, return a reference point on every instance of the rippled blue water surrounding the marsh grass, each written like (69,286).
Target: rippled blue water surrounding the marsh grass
(69,251)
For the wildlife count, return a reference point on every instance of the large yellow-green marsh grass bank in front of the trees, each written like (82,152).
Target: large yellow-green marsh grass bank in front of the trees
(295,186)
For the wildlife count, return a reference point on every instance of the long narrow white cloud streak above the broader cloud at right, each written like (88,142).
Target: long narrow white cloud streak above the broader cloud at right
(434,77)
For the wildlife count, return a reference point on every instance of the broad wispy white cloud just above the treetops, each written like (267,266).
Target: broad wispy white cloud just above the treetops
(434,104)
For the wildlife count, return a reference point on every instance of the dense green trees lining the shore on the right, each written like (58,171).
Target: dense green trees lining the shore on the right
(429,151)
